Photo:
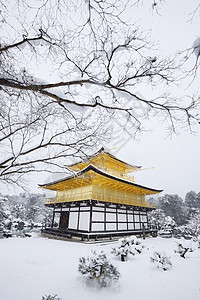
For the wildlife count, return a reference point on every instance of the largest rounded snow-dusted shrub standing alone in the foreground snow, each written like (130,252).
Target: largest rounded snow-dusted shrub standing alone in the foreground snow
(98,268)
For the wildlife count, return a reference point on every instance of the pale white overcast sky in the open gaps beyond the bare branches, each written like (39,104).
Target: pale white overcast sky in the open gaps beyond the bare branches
(176,160)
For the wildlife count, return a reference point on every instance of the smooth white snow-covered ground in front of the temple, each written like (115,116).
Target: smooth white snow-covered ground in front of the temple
(33,267)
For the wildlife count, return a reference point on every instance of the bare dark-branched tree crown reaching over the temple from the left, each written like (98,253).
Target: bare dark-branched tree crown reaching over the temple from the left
(67,68)
